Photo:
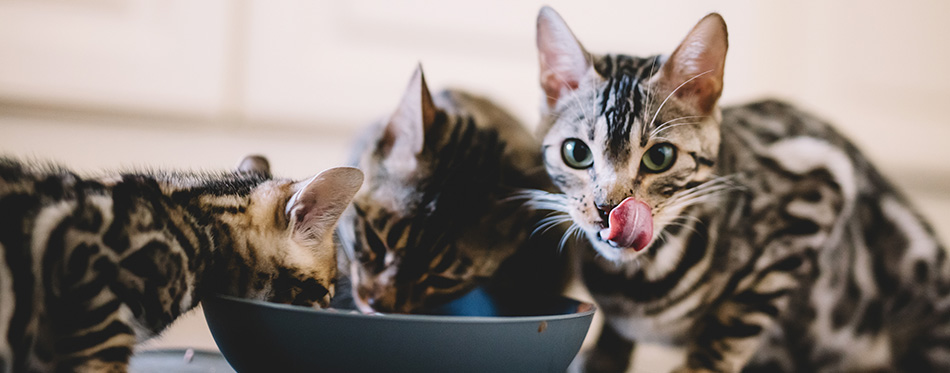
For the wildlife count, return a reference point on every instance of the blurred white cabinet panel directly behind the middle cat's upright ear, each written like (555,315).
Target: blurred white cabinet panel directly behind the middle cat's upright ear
(347,63)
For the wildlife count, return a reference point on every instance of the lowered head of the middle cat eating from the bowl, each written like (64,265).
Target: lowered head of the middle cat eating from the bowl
(423,184)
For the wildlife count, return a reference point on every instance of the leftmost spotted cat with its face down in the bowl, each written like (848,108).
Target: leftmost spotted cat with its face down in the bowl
(90,266)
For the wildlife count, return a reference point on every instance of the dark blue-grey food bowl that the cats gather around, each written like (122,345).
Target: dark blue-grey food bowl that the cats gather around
(257,336)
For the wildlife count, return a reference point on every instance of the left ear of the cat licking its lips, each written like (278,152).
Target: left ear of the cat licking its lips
(563,60)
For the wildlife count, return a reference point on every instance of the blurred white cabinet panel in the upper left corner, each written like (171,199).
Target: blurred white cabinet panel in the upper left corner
(140,56)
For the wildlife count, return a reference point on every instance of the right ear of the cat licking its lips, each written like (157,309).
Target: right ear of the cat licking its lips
(693,73)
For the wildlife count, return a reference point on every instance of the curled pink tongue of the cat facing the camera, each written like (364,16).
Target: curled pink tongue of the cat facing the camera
(631,225)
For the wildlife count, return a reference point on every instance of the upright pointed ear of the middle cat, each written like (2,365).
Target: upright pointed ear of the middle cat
(405,133)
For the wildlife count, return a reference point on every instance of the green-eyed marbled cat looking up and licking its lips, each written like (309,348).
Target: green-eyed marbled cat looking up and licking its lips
(756,236)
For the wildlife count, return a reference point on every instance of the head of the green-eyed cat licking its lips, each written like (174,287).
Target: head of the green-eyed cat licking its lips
(630,141)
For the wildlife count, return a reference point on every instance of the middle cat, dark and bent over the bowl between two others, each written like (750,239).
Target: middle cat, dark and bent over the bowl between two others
(439,213)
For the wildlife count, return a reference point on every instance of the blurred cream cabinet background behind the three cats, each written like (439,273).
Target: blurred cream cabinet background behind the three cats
(109,84)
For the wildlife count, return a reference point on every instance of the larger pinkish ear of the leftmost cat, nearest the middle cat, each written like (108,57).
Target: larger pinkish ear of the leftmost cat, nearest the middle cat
(315,208)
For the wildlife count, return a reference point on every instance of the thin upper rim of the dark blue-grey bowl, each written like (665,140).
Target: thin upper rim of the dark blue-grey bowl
(585,309)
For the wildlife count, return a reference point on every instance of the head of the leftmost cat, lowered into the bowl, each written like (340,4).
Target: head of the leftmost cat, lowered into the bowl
(283,230)
